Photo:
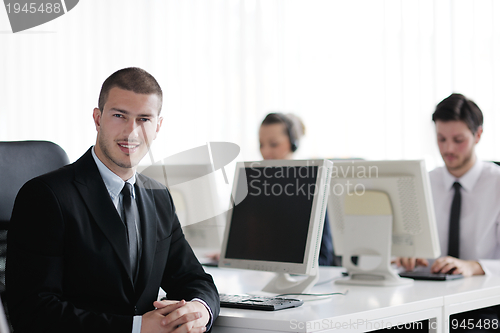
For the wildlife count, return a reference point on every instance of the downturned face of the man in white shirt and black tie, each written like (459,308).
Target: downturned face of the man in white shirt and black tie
(456,143)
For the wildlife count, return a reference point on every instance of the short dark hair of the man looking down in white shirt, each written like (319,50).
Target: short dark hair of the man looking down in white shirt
(459,107)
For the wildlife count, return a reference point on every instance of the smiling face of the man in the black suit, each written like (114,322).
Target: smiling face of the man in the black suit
(125,129)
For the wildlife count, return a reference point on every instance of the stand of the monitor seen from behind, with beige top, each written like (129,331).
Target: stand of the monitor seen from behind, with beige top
(368,231)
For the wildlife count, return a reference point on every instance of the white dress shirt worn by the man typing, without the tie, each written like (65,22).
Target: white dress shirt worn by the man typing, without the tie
(479,215)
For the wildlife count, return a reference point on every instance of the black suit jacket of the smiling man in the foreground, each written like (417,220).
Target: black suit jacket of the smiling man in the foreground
(68,256)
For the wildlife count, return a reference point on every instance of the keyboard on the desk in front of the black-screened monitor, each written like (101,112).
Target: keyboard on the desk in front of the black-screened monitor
(265,303)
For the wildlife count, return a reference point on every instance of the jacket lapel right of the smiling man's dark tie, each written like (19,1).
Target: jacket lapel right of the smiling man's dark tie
(147,212)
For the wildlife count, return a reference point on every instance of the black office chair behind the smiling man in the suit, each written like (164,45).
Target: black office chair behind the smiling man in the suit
(19,162)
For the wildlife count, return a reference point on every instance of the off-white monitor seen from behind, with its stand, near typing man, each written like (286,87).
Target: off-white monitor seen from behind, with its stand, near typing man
(381,209)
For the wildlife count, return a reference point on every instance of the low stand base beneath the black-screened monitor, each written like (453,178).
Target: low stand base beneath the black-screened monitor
(283,283)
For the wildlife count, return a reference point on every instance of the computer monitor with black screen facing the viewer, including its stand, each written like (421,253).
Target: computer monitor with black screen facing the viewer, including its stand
(278,223)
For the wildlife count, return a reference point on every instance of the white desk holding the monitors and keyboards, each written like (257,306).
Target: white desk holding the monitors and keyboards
(362,309)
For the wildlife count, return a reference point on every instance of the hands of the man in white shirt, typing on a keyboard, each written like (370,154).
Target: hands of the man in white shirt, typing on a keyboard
(449,265)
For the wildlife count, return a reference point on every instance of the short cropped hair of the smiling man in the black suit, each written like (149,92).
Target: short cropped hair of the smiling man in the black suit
(131,79)
